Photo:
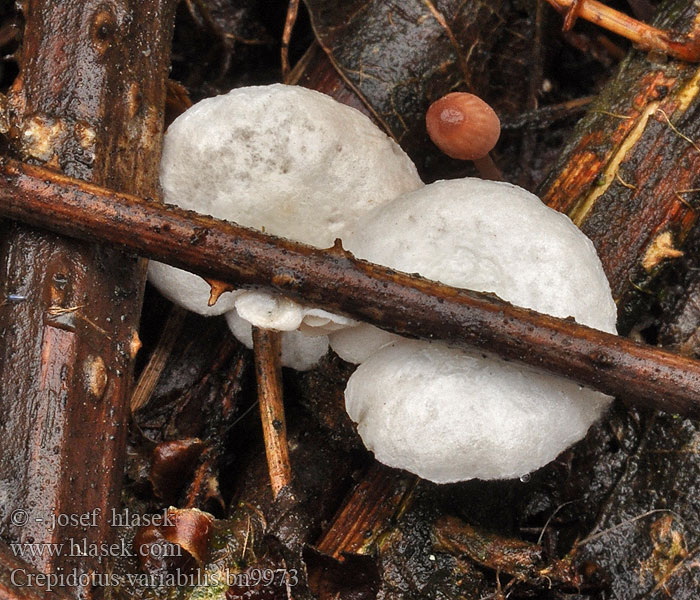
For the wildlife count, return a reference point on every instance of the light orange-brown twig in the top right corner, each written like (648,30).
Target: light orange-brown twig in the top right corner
(645,36)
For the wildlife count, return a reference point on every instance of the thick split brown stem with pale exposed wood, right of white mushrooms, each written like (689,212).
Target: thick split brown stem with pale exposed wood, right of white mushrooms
(629,176)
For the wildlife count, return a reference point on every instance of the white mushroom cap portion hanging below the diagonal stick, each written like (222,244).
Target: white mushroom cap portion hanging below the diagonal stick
(448,415)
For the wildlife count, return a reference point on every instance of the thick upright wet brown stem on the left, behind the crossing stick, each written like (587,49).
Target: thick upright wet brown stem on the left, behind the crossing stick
(89,102)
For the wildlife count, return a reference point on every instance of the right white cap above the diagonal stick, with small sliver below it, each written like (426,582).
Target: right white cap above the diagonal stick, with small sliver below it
(487,236)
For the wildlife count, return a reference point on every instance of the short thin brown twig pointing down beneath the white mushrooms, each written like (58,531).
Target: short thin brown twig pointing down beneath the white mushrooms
(266,347)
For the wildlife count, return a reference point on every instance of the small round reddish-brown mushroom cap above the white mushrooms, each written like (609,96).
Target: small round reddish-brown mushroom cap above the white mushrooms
(463,126)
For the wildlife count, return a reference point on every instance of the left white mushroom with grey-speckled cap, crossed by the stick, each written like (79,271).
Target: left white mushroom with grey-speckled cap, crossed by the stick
(283,159)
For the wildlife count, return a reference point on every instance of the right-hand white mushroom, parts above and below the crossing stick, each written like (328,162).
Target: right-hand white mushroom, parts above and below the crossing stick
(449,415)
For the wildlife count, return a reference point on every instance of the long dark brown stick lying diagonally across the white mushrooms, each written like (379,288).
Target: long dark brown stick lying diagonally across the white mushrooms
(334,280)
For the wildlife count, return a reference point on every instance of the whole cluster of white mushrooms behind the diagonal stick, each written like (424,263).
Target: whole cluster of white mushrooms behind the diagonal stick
(294,163)
